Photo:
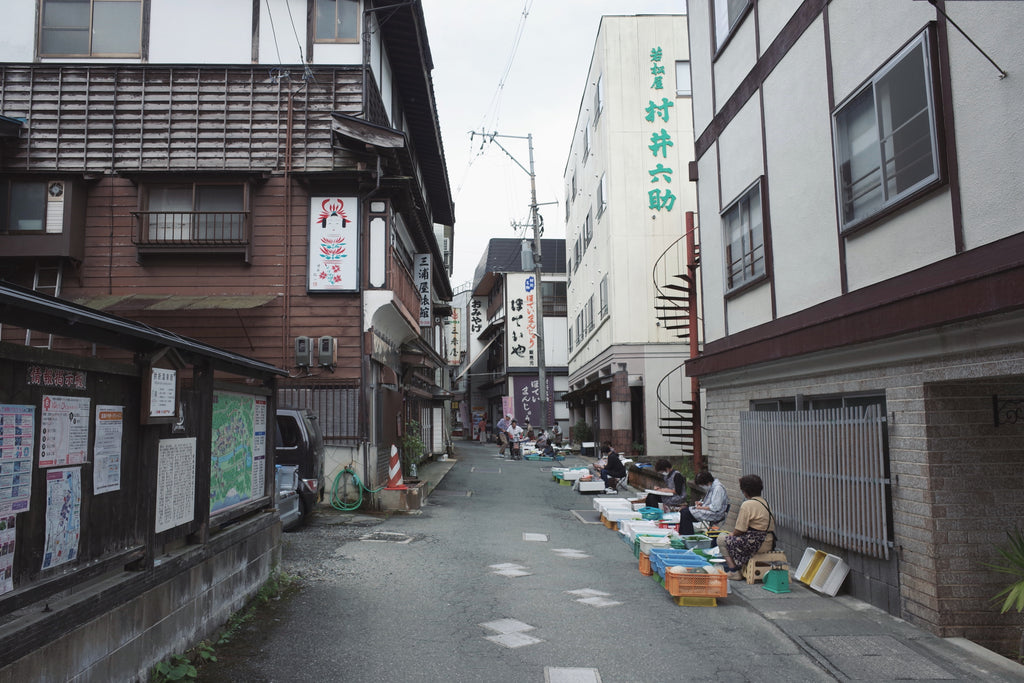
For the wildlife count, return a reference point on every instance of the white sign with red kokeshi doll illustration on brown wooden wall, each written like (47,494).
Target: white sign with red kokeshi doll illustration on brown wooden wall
(334,244)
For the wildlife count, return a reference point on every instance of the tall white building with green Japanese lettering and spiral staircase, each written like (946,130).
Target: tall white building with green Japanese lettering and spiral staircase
(627,193)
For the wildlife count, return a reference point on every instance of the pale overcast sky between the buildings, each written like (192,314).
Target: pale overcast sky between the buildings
(473,44)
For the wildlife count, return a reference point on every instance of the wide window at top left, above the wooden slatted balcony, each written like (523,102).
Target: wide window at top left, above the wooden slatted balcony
(92,28)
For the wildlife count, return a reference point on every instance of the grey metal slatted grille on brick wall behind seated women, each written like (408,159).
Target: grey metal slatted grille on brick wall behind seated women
(825,474)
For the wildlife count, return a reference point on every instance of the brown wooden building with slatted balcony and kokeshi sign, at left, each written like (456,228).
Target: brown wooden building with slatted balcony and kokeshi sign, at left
(184,165)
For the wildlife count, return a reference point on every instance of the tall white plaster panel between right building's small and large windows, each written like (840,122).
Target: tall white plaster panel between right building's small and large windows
(801,191)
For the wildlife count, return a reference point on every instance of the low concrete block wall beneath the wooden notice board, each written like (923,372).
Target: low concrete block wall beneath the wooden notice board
(129,622)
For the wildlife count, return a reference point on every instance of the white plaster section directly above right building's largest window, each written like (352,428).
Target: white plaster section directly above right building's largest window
(889,26)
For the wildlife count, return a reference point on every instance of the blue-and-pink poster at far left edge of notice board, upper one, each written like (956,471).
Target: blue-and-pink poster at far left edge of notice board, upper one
(18,434)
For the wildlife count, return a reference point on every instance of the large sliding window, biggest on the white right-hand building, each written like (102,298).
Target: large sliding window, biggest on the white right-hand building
(886,148)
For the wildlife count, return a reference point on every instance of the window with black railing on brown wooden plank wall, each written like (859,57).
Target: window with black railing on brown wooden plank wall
(195,215)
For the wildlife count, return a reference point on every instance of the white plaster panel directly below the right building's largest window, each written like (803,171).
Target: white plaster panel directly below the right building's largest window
(905,242)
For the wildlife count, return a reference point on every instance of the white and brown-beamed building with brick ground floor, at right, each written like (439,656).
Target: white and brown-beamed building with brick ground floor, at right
(862,267)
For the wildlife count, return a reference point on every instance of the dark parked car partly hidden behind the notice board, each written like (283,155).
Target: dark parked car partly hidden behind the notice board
(301,443)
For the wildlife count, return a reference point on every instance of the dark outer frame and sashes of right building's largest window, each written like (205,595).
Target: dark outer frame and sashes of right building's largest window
(847,219)
